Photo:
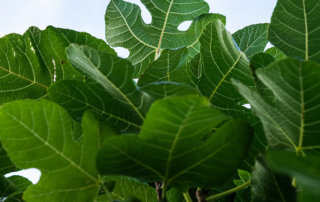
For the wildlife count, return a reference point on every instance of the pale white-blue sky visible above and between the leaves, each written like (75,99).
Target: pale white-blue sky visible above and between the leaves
(88,16)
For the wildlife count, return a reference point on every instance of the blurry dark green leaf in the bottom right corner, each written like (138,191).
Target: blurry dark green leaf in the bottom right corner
(306,172)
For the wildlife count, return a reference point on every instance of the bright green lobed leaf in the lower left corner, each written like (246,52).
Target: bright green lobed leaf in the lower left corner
(38,134)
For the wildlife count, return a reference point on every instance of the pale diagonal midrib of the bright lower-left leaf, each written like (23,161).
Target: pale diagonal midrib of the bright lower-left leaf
(52,147)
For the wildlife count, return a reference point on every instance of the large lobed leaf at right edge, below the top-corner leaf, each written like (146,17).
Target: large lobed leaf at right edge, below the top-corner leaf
(292,121)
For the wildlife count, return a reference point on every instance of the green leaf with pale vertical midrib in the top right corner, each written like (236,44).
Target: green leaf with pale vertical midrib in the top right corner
(295,28)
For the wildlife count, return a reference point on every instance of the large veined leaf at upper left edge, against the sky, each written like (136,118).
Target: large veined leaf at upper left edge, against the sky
(29,63)
